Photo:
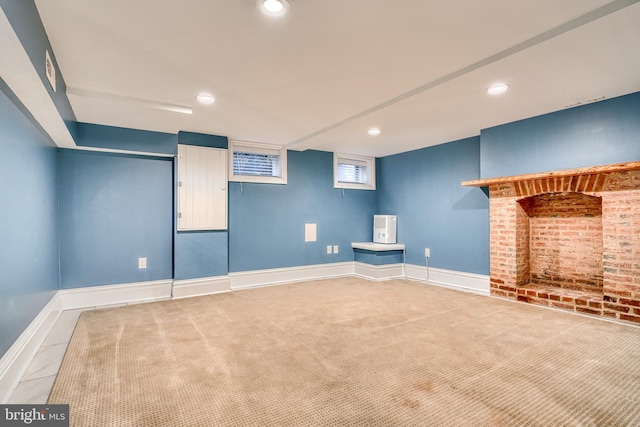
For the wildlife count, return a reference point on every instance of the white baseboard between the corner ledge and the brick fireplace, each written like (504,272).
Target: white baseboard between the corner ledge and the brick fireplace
(458,280)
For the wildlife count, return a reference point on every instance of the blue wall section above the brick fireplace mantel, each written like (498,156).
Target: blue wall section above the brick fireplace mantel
(595,134)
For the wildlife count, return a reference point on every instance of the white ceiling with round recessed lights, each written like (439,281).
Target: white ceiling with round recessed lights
(321,76)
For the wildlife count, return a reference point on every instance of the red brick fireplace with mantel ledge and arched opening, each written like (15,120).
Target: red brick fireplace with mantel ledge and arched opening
(568,239)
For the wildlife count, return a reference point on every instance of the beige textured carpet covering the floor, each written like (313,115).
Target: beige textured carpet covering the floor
(348,352)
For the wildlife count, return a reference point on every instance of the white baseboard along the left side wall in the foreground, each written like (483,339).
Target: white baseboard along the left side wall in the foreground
(16,360)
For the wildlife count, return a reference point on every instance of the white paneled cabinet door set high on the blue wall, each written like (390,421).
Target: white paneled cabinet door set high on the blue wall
(202,188)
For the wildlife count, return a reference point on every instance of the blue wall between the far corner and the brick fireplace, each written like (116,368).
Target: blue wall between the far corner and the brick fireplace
(434,211)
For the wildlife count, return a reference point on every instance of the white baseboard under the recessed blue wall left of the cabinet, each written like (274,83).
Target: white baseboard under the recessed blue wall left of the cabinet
(128,293)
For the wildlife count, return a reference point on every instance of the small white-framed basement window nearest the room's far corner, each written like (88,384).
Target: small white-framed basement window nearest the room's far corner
(354,172)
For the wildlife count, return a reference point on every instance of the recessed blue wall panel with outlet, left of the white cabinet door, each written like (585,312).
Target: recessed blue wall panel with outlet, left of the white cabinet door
(114,209)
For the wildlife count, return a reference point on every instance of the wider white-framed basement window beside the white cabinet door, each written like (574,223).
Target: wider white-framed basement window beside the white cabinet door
(255,162)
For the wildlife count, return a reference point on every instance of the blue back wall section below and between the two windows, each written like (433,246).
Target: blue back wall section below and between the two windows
(267,221)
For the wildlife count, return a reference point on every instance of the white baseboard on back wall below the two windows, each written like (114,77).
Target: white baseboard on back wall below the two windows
(257,278)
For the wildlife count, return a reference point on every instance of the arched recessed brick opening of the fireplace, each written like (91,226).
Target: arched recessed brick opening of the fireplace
(560,241)
